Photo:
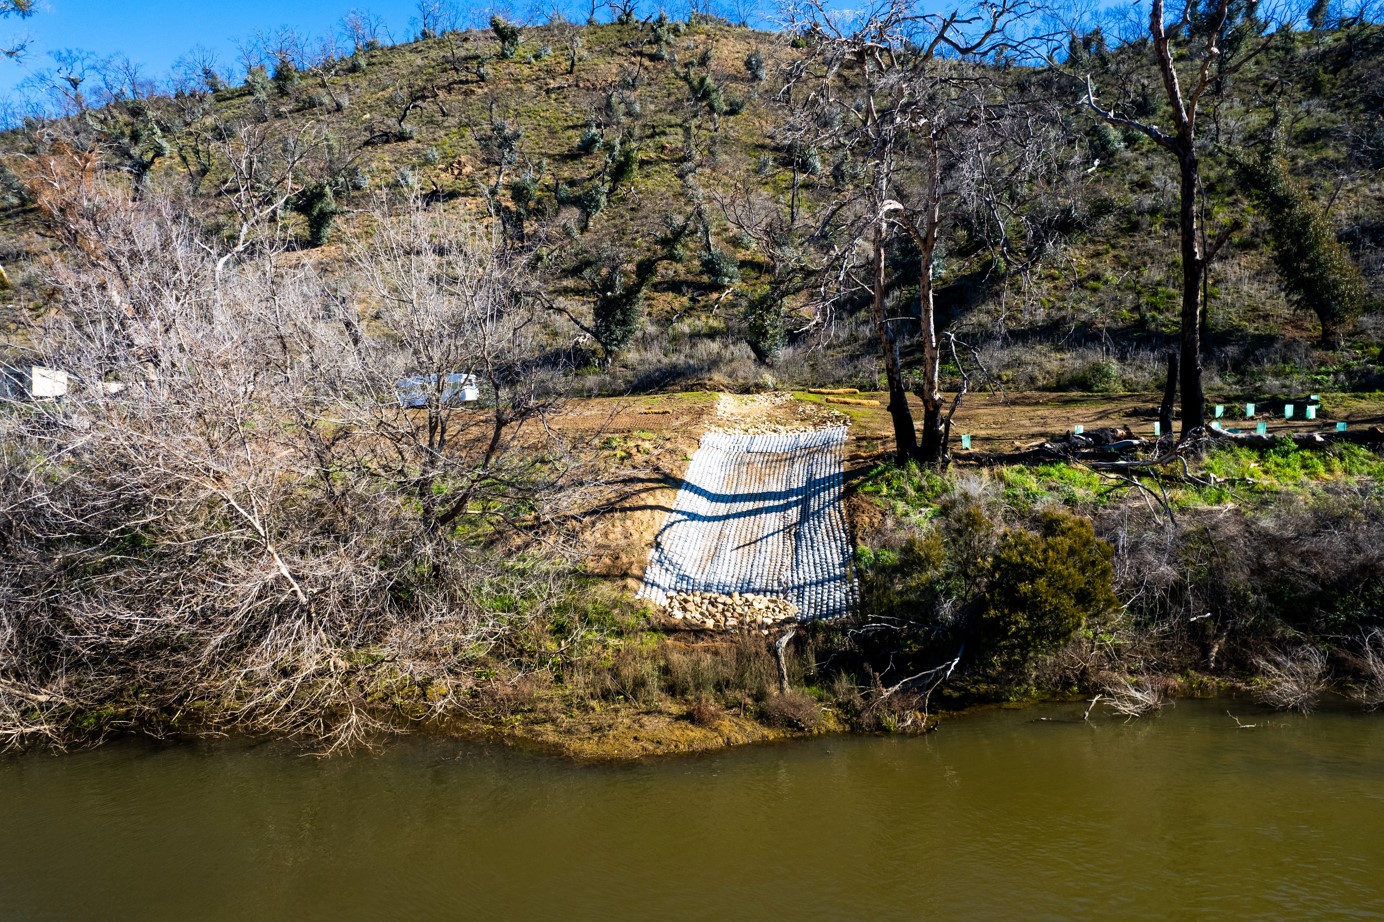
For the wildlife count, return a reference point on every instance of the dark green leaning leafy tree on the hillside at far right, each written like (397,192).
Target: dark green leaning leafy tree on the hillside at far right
(1317,269)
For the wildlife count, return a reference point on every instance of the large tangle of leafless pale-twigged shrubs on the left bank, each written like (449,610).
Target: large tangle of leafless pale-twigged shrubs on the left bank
(232,524)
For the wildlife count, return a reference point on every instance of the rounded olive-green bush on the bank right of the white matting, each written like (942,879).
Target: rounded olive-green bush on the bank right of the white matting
(1041,589)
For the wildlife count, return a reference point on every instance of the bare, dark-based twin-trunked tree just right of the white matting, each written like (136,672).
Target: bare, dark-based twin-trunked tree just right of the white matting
(900,82)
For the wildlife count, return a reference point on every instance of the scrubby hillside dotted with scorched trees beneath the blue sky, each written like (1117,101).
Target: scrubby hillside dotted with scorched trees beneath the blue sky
(597,147)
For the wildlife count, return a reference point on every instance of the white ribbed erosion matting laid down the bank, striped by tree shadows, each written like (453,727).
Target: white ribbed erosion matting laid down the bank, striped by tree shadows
(761,514)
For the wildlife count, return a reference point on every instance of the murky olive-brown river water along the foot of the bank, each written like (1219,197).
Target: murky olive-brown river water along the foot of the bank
(1004,815)
